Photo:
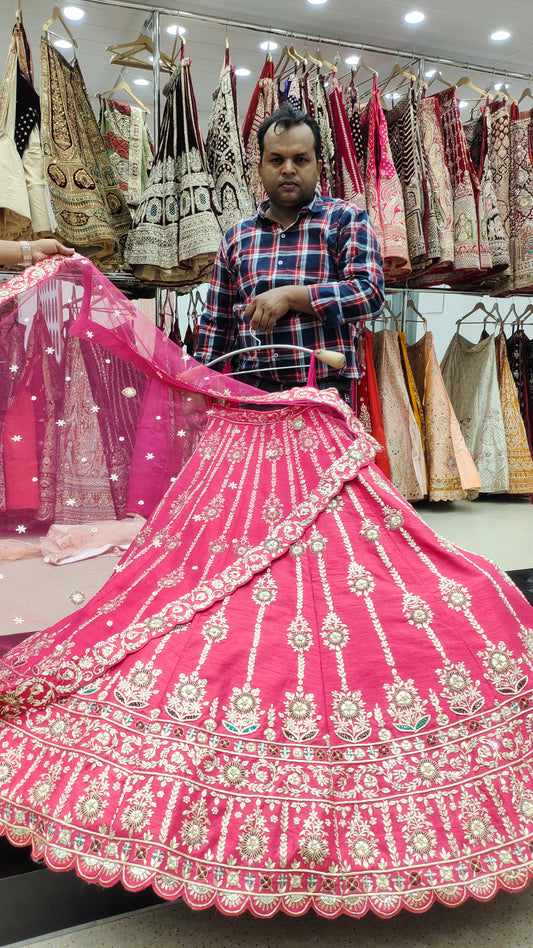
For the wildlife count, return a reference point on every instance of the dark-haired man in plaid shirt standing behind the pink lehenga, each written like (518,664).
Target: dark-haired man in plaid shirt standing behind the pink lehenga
(301,271)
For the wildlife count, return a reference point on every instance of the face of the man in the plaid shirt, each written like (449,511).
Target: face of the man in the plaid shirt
(289,169)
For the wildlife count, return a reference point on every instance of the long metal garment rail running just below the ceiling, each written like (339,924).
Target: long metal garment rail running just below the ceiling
(316,38)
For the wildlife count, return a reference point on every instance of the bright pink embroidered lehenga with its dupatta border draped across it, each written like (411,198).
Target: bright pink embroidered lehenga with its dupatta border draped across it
(291,694)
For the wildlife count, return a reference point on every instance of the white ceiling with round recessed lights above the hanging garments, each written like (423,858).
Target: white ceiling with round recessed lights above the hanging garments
(457,30)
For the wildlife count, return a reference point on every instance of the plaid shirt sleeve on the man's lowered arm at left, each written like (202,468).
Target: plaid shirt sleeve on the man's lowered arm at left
(216,325)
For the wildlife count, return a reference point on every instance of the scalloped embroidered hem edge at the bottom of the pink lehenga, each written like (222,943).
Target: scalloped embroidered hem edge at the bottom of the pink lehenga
(199,896)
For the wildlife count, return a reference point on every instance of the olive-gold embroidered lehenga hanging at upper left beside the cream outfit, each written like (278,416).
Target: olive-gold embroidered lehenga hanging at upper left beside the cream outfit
(91,213)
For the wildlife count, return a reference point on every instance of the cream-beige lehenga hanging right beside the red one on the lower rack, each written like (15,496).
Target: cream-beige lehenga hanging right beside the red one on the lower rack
(402,435)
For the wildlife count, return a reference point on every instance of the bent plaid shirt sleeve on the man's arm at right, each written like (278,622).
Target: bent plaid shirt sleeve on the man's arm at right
(358,293)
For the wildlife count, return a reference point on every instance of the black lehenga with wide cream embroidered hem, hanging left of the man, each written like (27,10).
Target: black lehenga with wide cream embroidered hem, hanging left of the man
(176,229)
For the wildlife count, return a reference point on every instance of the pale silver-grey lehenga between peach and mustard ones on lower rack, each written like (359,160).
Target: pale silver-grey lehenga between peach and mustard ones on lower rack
(470,377)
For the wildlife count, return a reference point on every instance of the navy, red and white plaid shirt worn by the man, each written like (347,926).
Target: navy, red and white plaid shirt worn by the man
(332,249)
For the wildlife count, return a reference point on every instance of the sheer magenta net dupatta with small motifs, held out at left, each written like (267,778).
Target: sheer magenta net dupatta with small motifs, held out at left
(100,410)
